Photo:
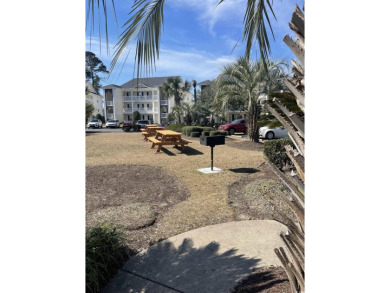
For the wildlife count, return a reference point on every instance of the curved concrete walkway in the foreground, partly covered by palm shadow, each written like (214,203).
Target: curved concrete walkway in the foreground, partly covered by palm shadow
(209,259)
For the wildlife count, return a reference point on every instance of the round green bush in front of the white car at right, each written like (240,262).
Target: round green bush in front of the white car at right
(276,153)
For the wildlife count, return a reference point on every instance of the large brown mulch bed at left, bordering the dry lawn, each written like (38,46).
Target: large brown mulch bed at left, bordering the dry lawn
(126,196)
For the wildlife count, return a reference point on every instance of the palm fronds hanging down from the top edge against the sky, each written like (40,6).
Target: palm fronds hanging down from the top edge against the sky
(146,21)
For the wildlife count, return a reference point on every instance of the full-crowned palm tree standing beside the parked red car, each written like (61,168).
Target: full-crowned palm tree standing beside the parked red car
(242,82)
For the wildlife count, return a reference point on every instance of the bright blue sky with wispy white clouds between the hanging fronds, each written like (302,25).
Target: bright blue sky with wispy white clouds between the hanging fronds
(197,39)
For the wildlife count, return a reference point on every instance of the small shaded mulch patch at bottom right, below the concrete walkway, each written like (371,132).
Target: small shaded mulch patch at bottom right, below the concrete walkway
(265,280)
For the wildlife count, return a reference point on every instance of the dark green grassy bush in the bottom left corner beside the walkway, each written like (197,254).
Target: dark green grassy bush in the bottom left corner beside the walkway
(105,253)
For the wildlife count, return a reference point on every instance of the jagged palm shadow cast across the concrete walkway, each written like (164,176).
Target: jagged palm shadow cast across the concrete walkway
(165,268)
